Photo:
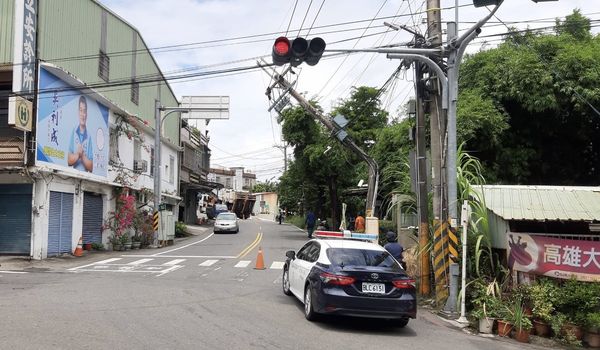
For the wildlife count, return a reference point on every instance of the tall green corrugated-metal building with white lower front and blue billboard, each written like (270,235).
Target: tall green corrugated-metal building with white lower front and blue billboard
(80,43)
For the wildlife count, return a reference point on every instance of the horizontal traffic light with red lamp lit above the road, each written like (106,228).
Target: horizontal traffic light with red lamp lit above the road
(297,50)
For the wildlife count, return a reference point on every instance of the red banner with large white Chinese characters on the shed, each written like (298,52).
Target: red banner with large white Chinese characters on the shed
(554,257)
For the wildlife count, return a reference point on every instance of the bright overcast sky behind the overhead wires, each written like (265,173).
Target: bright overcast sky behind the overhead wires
(248,137)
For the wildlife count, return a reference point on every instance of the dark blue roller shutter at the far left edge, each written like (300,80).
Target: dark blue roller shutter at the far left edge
(15,219)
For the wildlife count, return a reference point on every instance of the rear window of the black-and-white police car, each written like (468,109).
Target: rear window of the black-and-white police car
(361,257)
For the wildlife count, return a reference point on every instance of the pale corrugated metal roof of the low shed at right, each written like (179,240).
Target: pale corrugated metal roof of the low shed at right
(542,203)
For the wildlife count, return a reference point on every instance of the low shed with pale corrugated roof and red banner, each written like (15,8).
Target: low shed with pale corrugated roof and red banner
(546,230)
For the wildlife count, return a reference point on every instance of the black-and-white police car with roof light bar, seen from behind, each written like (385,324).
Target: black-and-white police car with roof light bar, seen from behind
(343,274)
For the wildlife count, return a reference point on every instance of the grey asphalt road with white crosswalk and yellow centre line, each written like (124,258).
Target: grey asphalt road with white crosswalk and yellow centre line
(202,293)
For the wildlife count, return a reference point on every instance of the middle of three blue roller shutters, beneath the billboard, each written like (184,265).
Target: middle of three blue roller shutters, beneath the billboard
(60,223)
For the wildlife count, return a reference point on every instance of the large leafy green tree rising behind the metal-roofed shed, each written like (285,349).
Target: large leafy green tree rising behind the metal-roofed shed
(525,106)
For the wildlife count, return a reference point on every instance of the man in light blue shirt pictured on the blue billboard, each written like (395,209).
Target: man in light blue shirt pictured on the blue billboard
(81,150)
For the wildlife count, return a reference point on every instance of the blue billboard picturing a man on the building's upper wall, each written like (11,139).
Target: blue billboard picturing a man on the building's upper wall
(72,128)
